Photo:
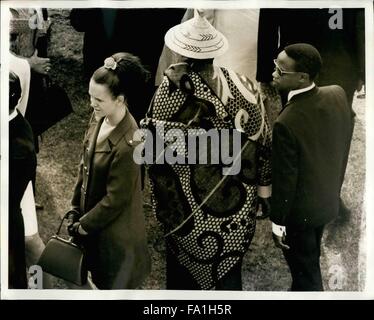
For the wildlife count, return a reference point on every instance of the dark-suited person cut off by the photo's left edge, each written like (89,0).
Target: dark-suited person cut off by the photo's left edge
(22,169)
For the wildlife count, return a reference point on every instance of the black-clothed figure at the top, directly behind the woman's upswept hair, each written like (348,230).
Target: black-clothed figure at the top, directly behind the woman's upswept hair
(111,30)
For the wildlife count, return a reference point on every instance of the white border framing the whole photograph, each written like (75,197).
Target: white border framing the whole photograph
(62,294)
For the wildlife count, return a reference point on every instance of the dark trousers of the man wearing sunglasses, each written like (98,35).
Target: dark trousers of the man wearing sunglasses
(303,258)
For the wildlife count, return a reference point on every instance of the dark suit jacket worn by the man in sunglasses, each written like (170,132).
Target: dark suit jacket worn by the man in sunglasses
(311,139)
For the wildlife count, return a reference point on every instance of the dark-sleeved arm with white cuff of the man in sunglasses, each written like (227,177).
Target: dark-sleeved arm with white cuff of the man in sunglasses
(284,177)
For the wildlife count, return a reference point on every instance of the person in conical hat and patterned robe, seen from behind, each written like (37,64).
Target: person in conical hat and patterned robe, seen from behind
(208,217)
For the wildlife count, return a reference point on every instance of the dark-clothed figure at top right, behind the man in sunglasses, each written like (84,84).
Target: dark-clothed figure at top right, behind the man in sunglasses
(338,35)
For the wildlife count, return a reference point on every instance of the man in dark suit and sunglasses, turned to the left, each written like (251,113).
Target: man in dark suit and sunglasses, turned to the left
(310,141)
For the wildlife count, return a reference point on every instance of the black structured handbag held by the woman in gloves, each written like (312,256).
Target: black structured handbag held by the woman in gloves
(64,259)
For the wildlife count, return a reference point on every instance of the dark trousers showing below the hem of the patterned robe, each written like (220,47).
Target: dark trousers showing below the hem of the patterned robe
(179,278)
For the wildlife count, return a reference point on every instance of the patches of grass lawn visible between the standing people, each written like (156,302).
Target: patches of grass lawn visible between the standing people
(264,268)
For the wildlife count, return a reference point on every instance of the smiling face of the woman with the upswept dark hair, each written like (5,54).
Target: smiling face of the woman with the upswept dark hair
(102,101)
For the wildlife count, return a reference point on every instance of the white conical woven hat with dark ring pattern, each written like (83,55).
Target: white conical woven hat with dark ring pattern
(196,38)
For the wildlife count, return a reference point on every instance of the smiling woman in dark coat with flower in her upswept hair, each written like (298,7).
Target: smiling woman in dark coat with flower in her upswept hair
(107,202)
